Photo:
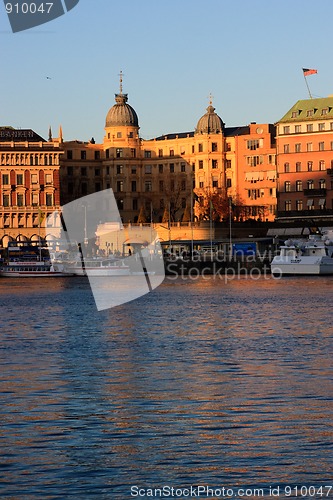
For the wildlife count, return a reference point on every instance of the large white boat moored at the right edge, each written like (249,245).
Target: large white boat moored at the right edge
(312,256)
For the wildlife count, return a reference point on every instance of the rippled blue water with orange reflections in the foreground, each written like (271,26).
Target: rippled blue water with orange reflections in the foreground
(201,382)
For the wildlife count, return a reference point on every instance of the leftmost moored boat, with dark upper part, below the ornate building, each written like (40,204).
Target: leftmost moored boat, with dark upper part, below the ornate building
(31,269)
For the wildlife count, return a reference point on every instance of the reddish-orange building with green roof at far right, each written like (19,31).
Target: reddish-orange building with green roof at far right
(305,161)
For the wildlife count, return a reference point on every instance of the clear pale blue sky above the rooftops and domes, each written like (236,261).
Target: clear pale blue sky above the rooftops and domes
(248,54)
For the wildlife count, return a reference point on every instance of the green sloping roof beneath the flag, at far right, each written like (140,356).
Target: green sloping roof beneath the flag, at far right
(321,109)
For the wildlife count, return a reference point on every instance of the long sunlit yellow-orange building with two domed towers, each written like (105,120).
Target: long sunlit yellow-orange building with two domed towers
(155,179)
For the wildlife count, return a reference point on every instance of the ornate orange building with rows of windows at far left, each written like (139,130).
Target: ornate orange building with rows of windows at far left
(29,182)
